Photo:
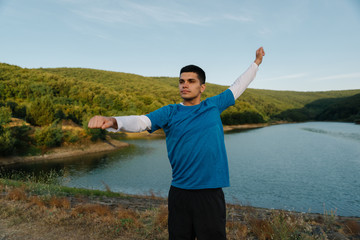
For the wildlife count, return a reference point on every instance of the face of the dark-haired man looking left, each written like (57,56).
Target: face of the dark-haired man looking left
(190,87)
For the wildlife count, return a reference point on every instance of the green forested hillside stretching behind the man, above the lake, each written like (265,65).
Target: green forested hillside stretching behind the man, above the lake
(42,97)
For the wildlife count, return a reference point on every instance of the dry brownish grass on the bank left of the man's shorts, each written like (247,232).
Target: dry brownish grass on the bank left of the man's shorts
(97,221)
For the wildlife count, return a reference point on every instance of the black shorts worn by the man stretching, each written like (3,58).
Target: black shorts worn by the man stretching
(197,213)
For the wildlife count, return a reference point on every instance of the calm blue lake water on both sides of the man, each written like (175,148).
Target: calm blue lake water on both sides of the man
(304,167)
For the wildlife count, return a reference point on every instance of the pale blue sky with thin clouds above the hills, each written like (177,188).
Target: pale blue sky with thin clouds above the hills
(309,45)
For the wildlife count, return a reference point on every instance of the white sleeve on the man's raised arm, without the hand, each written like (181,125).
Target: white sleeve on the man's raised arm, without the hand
(242,82)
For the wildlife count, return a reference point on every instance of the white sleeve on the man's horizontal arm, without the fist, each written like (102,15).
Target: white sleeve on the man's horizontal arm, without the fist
(131,124)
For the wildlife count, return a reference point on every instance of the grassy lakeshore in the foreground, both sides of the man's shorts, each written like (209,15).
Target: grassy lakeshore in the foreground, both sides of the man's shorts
(40,210)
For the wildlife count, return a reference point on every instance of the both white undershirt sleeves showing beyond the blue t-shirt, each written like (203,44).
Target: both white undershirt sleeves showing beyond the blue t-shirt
(139,123)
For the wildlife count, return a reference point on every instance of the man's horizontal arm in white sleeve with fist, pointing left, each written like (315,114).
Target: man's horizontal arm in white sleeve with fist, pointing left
(123,123)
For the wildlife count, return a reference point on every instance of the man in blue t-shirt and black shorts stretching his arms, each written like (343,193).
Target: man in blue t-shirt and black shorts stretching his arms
(196,150)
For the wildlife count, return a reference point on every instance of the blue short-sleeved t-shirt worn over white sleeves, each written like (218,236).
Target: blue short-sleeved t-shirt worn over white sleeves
(195,141)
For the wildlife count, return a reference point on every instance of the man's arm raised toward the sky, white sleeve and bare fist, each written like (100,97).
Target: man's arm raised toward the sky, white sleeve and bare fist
(242,82)
